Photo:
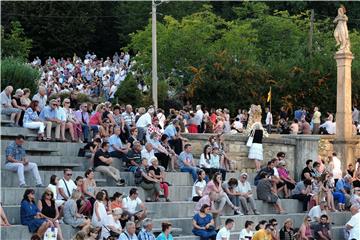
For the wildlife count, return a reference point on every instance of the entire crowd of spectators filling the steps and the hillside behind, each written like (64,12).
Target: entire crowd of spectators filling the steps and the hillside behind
(148,144)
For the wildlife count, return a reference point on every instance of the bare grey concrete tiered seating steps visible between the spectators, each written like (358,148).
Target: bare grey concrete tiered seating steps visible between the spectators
(53,157)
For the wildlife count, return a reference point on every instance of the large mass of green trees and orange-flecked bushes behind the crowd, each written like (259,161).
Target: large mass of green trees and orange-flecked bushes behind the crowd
(232,63)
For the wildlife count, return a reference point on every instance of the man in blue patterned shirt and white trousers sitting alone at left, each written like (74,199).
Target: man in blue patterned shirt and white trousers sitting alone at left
(16,161)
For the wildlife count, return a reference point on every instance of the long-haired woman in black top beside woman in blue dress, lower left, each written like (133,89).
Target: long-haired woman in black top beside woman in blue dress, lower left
(48,207)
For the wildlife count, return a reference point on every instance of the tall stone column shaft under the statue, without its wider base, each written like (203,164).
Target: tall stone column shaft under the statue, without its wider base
(343,96)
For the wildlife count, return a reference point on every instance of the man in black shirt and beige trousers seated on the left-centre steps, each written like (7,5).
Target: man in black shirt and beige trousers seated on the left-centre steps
(102,161)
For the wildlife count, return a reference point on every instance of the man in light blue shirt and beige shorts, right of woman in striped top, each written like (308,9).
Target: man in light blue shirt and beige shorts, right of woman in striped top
(50,117)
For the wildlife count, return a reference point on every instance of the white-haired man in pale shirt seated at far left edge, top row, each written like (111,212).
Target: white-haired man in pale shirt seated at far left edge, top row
(7,108)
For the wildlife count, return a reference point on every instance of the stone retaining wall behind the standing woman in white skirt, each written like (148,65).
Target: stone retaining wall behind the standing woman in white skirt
(238,152)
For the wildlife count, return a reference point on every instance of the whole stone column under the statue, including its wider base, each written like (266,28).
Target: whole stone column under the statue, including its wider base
(343,144)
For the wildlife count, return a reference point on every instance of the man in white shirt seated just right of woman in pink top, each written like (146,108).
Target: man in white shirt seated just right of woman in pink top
(246,195)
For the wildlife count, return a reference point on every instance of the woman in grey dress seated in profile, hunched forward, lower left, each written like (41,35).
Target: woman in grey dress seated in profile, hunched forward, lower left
(71,215)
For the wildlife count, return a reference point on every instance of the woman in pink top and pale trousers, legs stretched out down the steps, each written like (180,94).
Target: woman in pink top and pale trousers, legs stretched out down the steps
(215,186)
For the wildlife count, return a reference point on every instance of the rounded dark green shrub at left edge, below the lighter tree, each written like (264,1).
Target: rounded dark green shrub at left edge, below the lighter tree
(18,74)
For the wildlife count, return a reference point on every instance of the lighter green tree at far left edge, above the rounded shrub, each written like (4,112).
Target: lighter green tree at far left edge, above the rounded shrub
(15,43)
